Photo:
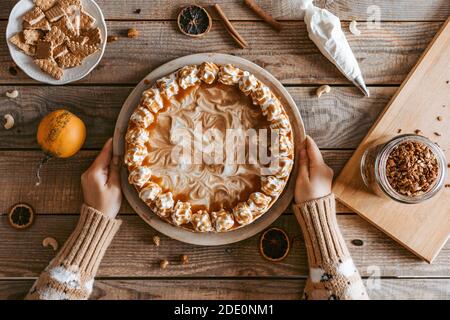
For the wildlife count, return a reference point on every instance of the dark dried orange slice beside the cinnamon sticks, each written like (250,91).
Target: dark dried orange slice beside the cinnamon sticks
(194,21)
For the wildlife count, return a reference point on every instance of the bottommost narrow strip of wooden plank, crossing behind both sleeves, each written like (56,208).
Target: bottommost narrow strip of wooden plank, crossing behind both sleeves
(245,289)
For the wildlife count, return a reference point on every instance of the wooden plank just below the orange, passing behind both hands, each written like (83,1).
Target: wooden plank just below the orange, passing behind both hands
(61,180)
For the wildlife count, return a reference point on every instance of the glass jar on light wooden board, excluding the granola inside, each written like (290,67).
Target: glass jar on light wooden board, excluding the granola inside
(374,175)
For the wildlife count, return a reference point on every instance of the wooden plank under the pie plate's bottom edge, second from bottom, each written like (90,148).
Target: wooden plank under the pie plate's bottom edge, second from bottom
(133,254)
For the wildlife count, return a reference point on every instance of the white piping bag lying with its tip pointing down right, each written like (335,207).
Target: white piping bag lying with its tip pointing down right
(325,30)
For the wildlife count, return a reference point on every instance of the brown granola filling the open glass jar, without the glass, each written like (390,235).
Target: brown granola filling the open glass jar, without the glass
(412,168)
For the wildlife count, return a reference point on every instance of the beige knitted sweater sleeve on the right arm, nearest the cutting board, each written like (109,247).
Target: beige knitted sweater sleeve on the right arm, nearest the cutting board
(332,274)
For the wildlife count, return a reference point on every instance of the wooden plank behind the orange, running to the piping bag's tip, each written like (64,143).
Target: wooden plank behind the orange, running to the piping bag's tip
(338,120)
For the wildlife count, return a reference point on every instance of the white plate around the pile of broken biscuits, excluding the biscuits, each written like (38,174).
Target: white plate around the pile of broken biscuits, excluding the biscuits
(26,63)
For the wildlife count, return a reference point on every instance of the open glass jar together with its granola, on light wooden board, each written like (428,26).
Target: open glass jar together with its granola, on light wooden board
(408,168)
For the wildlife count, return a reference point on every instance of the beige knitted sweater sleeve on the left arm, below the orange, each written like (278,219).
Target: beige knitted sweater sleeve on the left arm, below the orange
(70,275)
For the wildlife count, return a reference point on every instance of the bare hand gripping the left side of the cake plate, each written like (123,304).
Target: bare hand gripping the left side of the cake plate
(101,183)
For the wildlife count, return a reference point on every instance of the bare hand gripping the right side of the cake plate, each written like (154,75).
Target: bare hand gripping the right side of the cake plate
(314,176)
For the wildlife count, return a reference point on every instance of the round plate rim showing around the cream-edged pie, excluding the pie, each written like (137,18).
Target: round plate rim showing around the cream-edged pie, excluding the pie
(208,239)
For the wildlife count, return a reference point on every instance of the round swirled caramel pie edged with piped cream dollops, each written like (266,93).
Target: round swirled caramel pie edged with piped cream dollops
(209,148)
